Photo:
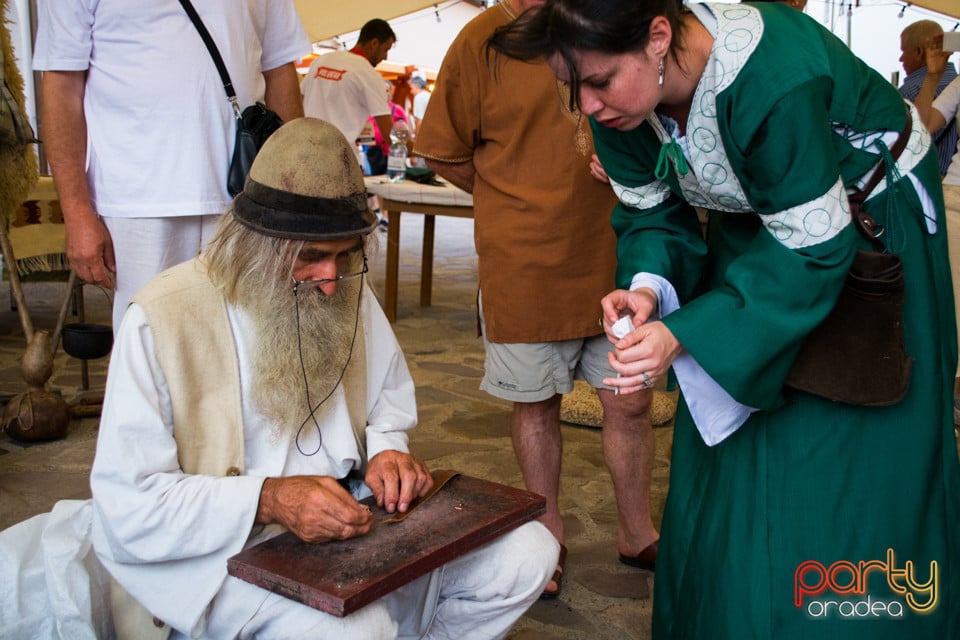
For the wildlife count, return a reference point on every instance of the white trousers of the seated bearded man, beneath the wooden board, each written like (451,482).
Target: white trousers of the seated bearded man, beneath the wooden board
(478,596)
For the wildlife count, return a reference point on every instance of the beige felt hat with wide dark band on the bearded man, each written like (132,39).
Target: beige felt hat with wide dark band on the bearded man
(306,184)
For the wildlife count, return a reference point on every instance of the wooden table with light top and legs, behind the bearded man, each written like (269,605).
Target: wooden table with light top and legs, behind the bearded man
(413,197)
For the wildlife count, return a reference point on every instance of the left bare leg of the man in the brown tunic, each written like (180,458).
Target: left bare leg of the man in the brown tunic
(539,447)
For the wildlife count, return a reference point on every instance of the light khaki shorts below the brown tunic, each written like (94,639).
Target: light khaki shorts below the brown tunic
(536,371)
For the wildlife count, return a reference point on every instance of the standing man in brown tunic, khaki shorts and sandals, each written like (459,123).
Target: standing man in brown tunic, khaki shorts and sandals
(546,257)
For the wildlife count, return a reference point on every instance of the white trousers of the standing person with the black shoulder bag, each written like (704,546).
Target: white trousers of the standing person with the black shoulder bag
(144,247)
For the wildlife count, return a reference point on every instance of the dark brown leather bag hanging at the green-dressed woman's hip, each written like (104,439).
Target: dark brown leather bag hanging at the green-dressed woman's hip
(857,355)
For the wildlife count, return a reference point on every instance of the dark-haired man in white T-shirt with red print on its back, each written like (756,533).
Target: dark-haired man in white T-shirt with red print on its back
(344,88)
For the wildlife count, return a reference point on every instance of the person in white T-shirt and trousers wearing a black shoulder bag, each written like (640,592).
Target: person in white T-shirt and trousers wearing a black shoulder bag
(138,129)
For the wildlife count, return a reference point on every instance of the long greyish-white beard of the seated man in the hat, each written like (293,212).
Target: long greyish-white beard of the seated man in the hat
(327,326)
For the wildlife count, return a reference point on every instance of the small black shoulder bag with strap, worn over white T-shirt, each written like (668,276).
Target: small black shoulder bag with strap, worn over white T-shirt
(254,124)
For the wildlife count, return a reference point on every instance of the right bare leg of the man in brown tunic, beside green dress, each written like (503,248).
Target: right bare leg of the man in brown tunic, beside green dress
(628,449)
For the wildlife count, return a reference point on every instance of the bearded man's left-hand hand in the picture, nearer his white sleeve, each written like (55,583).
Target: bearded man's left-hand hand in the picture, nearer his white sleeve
(314,508)
